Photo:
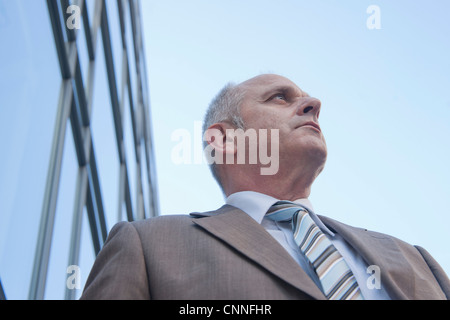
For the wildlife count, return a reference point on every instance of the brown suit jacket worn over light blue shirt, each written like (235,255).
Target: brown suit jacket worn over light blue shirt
(225,254)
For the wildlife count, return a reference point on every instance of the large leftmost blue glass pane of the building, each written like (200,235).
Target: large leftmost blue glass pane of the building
(29,88)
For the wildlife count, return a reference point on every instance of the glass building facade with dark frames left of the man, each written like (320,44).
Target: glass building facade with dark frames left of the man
(76,141)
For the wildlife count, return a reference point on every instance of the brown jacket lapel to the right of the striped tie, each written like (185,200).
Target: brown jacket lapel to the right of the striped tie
(381,250)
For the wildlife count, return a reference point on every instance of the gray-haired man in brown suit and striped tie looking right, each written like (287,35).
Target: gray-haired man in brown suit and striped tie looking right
(266,242)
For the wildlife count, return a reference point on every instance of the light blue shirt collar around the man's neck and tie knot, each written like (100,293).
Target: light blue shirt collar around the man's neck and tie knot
(257,204)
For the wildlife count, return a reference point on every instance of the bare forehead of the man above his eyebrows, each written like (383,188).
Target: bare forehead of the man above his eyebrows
(265,84)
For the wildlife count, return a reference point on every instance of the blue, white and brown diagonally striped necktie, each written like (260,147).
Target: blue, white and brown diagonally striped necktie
(336,278)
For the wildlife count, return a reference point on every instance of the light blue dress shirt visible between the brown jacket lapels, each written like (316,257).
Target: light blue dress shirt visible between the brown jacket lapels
(256,206)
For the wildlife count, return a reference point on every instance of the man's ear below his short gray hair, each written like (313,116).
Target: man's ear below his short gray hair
(216,136)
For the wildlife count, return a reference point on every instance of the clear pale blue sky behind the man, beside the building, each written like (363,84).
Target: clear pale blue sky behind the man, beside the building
(384,92)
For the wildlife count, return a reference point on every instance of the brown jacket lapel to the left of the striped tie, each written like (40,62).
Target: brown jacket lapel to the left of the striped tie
(240,231)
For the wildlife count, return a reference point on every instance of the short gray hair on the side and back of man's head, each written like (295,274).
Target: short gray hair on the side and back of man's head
(224,107)
